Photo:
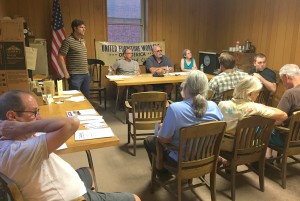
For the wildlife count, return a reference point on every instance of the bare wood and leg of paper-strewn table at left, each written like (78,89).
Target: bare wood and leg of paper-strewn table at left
(59,110)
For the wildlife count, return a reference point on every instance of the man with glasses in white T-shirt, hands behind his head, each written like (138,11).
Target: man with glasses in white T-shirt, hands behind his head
(29,161)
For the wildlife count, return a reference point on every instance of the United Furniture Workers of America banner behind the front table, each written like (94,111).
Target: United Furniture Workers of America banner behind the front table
(110,52)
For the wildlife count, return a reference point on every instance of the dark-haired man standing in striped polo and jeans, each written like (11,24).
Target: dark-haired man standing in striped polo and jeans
(74,51)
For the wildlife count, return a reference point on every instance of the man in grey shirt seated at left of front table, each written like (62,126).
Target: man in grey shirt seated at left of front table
(126,66)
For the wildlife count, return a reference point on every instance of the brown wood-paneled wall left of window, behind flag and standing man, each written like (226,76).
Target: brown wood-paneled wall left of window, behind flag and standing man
(38,15)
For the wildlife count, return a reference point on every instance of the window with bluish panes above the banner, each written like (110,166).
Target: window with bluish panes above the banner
(125,21)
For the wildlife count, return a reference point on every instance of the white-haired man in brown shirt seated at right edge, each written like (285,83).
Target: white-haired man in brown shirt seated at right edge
(290,100)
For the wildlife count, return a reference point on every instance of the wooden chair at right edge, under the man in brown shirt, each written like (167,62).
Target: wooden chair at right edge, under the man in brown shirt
(291,147)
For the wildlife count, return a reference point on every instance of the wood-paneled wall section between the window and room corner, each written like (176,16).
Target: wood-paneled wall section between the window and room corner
(182,24)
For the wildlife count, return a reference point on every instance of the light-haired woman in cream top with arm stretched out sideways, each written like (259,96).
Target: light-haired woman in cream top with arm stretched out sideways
(242,104)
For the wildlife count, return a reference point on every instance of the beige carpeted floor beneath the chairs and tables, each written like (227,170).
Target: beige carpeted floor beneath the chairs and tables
(117,170)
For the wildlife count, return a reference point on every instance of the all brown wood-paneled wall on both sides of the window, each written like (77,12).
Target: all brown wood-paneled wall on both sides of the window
(212,25)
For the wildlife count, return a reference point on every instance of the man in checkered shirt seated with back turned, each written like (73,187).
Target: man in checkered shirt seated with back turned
(226,80)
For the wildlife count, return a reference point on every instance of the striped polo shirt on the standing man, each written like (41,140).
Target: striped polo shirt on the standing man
(76,55)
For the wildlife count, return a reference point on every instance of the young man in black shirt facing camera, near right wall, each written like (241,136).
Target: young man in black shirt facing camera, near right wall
(263,73)
